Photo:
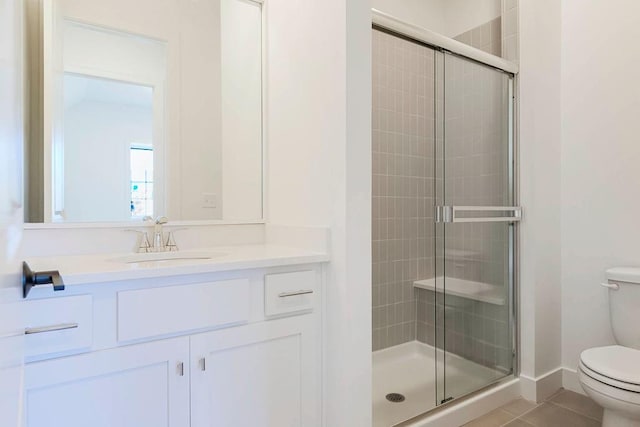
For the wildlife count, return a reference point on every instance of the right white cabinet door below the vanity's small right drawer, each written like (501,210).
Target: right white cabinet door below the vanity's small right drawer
(260,375)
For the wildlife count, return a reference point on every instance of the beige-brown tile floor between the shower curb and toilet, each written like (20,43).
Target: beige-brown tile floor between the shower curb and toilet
(565,408)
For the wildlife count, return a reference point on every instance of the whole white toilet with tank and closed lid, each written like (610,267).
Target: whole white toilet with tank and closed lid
(611,375)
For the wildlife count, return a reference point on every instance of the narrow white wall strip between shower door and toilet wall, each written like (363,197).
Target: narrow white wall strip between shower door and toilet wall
(540,141)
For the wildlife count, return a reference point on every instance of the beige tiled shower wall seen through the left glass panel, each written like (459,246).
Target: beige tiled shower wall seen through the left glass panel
(403,120)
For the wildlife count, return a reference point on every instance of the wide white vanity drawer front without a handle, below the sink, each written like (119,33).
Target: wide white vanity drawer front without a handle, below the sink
(150,312)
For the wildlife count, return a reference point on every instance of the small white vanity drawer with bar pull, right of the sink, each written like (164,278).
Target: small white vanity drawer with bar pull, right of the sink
(289,292)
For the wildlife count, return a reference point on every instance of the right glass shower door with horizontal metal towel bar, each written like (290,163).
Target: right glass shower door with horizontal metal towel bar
(475,221)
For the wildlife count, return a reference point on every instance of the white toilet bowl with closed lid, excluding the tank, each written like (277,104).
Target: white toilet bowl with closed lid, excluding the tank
(609,375)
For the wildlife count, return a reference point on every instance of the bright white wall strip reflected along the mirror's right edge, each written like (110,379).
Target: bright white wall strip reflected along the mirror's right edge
(241,70)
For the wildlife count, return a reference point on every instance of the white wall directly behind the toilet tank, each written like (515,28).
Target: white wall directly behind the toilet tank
(600,158)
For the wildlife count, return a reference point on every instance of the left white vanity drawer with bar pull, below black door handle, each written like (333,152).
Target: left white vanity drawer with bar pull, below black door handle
(58,325)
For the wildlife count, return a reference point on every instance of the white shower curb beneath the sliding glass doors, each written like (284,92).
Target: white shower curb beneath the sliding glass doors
(471,408)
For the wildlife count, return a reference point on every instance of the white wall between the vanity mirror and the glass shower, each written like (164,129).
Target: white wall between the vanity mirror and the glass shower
(319,153)
